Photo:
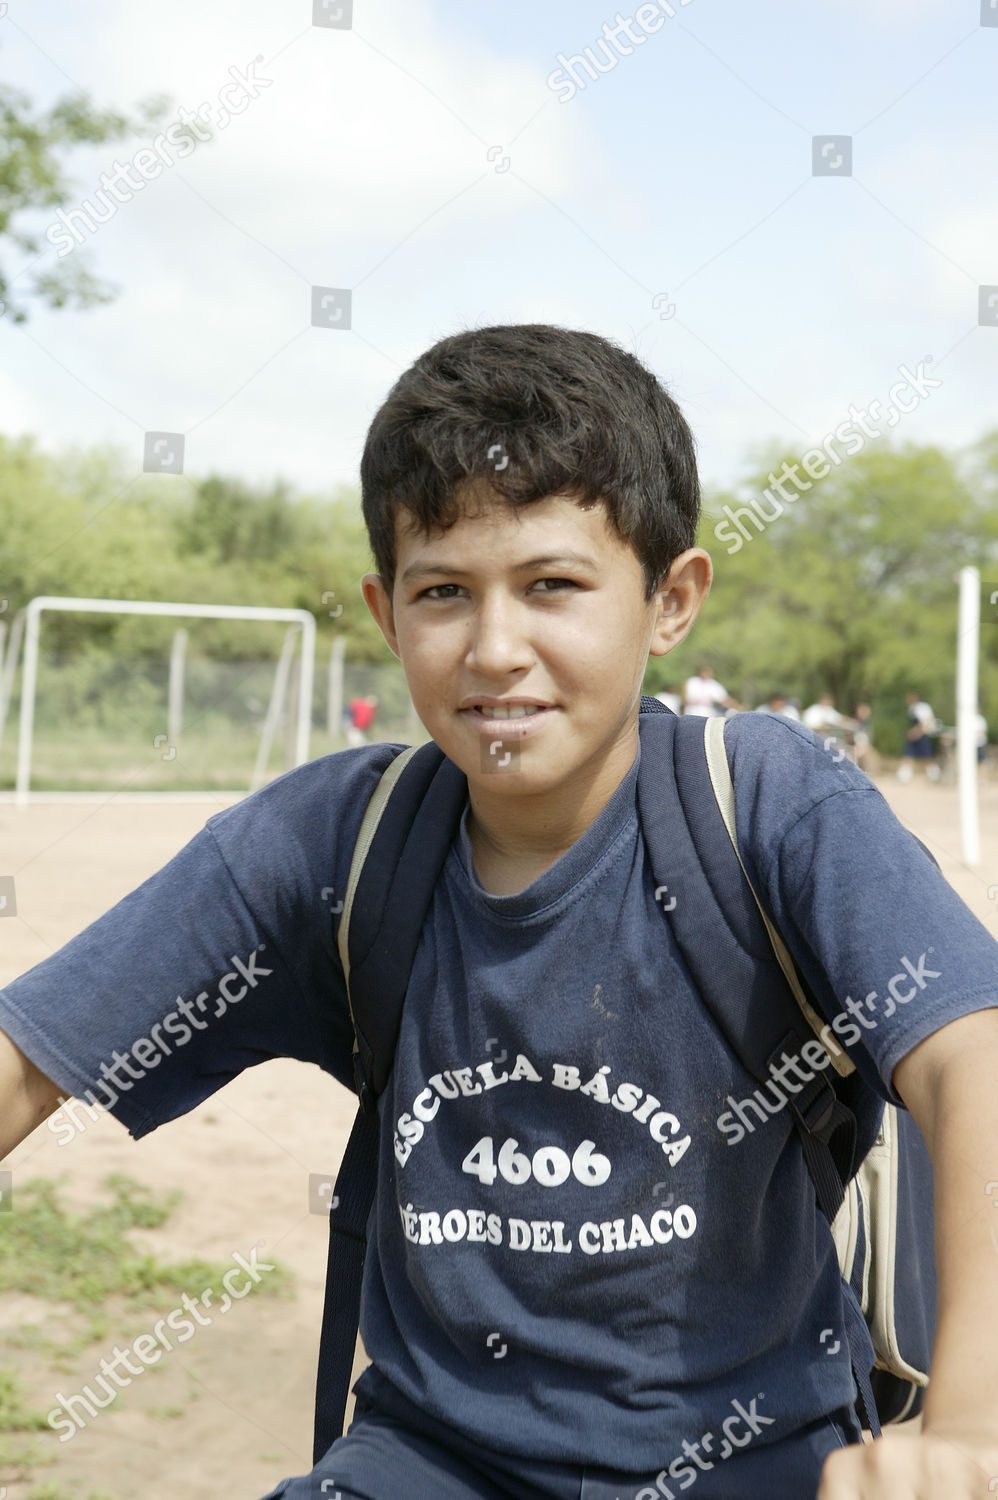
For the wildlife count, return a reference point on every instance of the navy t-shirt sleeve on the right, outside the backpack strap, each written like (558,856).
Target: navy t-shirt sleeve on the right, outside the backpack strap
(885,943)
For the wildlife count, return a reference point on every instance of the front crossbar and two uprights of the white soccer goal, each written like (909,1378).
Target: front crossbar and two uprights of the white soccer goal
(299,619)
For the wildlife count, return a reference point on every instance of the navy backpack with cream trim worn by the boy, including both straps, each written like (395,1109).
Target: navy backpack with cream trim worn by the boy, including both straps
(868,1162)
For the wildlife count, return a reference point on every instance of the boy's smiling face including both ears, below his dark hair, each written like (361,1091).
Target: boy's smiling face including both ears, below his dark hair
(496,608)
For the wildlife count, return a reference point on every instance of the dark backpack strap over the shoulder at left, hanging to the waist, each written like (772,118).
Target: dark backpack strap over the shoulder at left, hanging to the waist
(401,850)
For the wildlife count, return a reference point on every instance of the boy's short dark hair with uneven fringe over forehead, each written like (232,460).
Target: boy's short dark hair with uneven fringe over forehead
(534,410)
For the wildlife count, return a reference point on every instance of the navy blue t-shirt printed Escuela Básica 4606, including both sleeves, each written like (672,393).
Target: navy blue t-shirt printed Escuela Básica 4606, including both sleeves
(579,1252)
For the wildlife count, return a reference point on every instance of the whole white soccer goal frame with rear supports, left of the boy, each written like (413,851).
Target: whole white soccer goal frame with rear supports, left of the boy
(302,628)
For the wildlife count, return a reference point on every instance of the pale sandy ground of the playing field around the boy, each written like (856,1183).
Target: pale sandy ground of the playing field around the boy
(242,1390)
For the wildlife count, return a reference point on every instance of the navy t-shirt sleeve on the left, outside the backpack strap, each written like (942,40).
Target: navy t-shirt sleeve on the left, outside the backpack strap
(223,959)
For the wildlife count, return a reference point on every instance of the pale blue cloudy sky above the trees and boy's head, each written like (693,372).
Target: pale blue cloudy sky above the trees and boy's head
(439,164)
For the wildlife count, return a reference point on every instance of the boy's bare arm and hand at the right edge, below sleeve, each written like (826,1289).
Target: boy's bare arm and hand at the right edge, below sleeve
(949,1085)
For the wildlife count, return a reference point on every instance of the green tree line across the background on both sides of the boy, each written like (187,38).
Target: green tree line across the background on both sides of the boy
(852,590)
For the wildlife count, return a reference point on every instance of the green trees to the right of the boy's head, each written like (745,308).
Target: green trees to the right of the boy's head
(850,586)
